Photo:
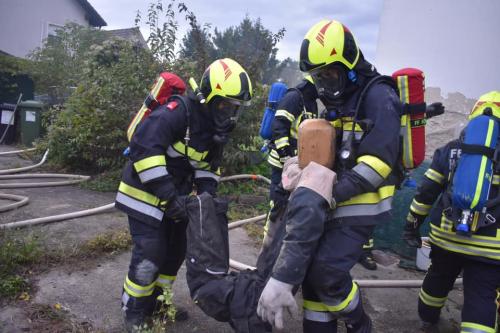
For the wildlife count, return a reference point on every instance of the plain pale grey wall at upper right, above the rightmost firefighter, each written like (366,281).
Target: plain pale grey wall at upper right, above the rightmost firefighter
(455,42)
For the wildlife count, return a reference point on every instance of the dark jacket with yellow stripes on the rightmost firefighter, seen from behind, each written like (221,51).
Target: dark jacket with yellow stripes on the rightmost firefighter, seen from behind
(484,243)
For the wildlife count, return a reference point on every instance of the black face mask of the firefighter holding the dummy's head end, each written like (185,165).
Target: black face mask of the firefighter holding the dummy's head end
(330,81)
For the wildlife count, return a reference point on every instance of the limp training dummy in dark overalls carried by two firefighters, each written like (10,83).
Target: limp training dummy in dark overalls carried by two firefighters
(233,297)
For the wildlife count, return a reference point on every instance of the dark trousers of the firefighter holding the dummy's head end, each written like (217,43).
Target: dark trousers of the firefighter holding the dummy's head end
(328,290)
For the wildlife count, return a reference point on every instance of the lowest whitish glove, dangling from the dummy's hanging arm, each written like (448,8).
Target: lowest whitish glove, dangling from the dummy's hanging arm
(275,297)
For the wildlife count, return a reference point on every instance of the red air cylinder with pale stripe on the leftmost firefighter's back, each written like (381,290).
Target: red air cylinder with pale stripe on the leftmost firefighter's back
(165,85)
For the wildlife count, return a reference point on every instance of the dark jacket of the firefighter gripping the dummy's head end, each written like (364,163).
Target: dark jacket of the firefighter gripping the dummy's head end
(367,179)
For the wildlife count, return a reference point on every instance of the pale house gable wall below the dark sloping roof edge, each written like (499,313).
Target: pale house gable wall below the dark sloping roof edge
(24,24)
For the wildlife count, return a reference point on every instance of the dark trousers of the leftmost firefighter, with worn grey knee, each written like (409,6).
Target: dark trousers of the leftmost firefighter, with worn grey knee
(157,255)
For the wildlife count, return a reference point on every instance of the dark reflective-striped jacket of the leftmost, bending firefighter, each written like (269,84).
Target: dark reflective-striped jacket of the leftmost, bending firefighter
(163,164)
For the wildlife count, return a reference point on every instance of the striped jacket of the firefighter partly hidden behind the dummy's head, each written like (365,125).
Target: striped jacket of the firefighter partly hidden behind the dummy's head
(296,105)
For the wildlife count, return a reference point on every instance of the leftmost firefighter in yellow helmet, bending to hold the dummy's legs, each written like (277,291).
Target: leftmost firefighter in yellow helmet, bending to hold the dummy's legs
(175,150)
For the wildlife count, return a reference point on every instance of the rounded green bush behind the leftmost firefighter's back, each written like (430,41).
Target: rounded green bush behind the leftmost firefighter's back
(88,132)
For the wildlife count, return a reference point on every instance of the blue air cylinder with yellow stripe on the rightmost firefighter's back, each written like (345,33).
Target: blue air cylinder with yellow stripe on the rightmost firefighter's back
(473,176)
